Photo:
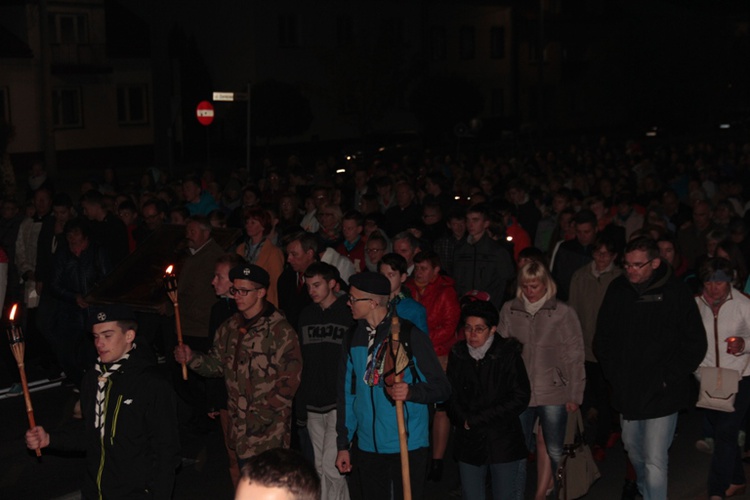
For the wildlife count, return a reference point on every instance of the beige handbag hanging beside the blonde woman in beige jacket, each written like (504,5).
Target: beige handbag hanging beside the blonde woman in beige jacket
(577,470)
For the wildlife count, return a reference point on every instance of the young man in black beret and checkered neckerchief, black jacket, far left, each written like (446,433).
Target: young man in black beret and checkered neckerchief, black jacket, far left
(129,427)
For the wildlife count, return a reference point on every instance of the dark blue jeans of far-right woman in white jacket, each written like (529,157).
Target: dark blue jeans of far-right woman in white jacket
(726,461)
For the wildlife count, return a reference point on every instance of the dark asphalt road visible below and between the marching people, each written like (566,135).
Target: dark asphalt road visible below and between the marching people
(204,476)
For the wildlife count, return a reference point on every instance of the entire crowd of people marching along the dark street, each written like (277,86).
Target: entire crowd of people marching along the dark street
(595,279)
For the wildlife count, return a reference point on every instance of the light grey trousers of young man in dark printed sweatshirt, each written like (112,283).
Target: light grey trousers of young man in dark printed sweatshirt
(322,430)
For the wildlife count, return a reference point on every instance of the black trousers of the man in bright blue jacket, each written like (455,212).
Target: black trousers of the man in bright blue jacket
(379,472)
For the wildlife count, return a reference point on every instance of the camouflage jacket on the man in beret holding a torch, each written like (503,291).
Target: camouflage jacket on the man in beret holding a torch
(261,363)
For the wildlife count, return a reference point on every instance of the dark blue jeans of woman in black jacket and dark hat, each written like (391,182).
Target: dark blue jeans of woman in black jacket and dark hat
(505,480)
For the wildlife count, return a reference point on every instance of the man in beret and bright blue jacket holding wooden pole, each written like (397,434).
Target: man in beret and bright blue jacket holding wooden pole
(366,393)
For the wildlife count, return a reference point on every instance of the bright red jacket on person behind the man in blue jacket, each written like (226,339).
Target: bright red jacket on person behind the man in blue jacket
(443,311)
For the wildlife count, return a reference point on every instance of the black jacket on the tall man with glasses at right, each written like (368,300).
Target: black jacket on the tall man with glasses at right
(648,344)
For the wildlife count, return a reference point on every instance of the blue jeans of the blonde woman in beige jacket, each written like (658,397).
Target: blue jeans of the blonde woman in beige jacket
(553,420)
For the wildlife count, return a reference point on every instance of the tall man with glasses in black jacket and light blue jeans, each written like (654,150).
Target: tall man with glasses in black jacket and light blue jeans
(649,341)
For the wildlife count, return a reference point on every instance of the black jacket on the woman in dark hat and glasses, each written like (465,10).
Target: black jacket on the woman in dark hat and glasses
(489,395)
